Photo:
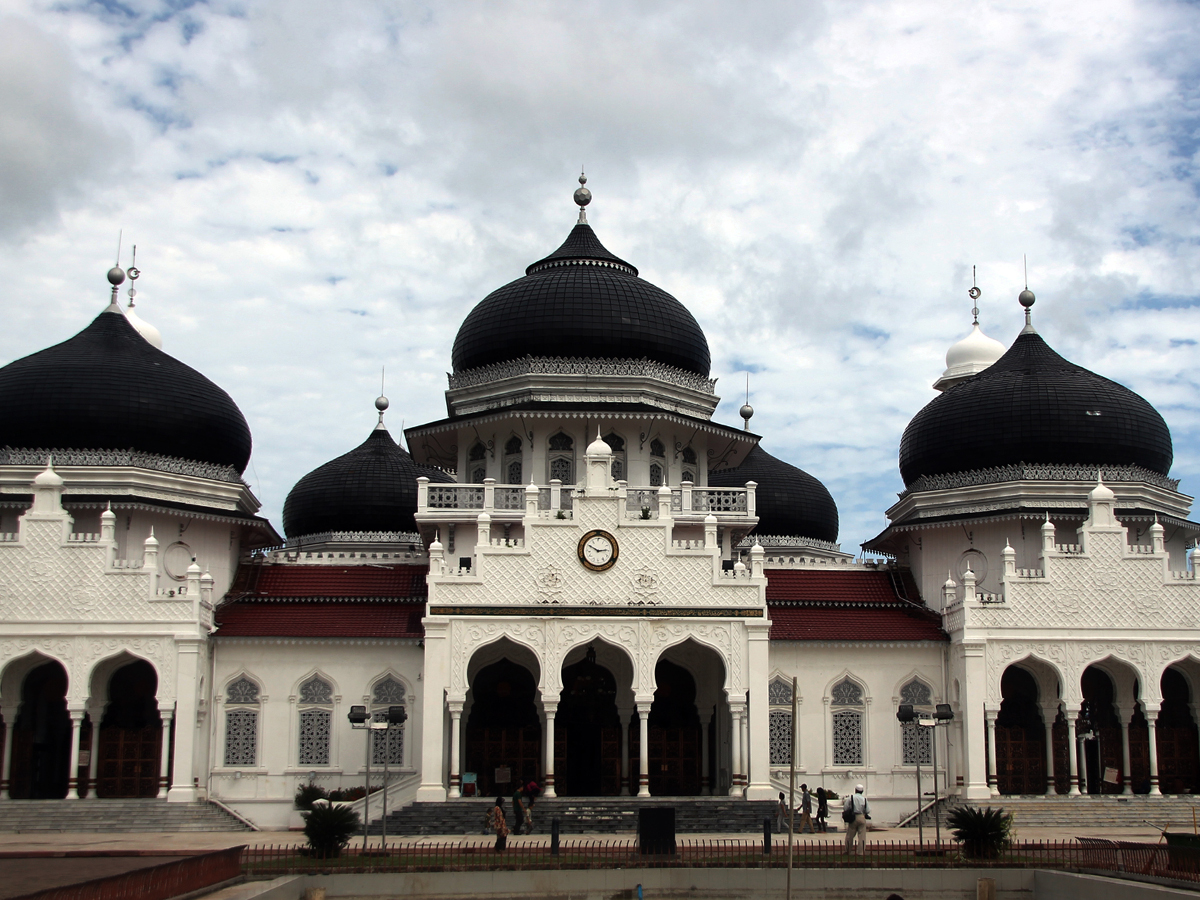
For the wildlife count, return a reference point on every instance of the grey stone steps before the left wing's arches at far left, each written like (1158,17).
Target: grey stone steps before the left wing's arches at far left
(130,815)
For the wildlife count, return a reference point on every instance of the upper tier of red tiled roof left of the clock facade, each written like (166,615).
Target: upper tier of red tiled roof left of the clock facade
(296,581)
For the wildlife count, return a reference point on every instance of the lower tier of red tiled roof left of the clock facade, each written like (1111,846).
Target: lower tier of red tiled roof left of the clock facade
(261,619)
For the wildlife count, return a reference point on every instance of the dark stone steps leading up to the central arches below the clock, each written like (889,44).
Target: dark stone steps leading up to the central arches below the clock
(586,815)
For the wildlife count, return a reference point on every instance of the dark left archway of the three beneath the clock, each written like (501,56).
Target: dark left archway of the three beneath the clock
(503,728)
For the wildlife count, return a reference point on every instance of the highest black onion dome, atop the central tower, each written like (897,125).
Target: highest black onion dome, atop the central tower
(584,303)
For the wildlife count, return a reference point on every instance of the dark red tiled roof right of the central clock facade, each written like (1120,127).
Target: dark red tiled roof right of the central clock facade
(849,605)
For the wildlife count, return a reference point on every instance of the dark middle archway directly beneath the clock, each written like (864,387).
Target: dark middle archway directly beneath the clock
(587,731)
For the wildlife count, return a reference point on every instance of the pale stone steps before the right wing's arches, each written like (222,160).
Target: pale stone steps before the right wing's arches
(1085,812)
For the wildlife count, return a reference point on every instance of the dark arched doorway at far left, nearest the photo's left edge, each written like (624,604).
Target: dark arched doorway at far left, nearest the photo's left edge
(41,736)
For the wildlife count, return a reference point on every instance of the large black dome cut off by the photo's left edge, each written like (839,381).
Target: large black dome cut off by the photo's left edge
(110,389)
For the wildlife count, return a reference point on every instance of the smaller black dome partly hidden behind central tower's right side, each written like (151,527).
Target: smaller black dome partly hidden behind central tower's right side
(789,501)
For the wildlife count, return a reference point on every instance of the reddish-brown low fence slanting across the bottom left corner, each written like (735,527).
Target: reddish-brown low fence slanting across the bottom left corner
(155,883)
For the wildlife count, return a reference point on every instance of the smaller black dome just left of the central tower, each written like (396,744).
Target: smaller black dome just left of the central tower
(371,489)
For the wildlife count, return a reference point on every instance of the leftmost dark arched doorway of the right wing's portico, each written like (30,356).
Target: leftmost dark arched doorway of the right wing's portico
(1021,736)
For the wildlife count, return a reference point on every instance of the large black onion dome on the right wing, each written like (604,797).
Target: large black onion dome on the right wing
(1033,406)
